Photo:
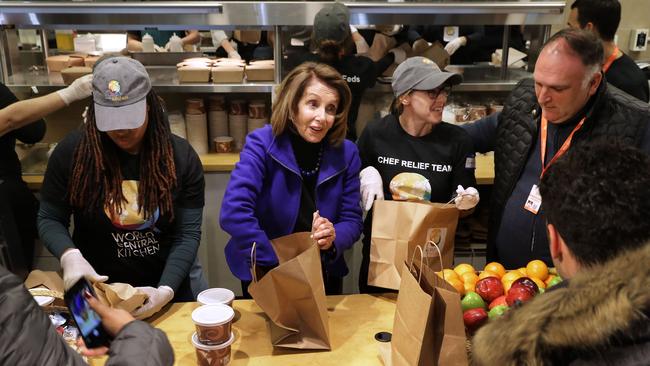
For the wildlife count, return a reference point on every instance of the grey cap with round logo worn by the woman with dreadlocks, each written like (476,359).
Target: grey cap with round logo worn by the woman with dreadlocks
(120,88)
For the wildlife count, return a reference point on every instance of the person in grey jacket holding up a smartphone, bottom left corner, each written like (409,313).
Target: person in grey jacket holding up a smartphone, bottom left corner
(28,337)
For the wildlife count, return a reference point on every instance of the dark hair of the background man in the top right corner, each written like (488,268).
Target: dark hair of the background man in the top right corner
(604,14)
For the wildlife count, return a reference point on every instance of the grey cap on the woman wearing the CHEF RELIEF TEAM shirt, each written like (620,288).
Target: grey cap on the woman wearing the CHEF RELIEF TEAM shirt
(420,73)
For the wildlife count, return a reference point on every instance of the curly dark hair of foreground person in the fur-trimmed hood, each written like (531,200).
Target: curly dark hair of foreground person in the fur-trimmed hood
(598,197)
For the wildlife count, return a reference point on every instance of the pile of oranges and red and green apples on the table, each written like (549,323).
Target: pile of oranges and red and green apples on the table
(493,291)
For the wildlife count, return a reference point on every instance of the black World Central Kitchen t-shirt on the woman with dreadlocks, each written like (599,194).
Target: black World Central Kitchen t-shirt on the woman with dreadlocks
(128,248)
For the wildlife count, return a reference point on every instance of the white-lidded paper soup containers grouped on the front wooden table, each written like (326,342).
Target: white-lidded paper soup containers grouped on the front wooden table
(213,321)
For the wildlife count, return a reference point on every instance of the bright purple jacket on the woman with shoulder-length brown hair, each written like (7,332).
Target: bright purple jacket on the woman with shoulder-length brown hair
(263,197)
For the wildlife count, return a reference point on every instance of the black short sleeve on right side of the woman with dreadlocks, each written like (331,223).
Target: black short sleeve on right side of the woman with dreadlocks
(191,180)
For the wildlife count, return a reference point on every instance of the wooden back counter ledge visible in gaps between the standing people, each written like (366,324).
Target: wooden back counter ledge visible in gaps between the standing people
(226,162)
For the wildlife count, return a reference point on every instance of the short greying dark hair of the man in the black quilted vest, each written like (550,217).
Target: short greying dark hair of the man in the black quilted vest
(584,43)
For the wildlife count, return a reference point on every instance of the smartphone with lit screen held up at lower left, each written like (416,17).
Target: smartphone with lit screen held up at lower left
(88,321)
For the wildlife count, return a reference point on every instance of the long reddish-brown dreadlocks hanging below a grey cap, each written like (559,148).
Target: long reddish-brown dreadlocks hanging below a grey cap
(97,178)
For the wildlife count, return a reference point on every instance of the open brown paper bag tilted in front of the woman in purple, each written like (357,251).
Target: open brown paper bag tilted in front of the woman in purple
(293,295)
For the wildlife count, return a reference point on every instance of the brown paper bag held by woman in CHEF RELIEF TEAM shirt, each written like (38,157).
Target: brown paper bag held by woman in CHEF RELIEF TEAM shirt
(398,227)
